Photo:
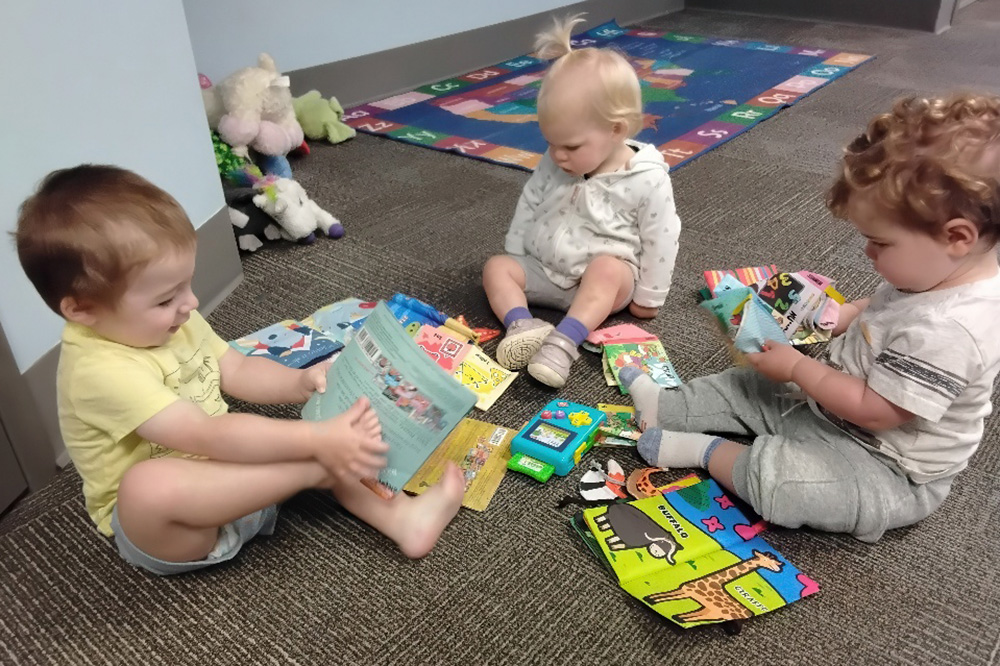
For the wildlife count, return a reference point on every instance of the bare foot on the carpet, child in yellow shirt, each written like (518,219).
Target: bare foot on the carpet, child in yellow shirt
(421,520)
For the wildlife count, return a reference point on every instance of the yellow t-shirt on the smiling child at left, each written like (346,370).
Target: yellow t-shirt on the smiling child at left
(106,390)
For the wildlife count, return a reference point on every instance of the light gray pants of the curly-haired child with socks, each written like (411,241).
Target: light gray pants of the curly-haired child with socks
(801,469)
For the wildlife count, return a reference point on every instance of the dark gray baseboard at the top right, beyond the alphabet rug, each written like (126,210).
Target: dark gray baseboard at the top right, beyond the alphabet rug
(925,15)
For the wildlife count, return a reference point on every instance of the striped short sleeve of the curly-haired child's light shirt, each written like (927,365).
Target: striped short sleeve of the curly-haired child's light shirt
(924,370)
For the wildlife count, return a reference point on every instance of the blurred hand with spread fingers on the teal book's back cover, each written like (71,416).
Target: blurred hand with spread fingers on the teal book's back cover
(349,446)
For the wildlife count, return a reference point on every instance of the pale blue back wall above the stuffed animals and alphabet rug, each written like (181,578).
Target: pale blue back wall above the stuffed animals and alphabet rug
(228,34)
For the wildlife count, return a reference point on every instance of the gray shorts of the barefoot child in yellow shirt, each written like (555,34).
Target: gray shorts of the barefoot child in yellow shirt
(232,536)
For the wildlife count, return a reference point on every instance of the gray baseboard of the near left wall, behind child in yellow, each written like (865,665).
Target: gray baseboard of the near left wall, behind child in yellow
(32,422)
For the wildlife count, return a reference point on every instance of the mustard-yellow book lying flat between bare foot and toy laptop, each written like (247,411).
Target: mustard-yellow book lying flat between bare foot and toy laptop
(481,451)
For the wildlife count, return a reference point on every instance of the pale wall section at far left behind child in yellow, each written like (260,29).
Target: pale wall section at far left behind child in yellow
(103,82)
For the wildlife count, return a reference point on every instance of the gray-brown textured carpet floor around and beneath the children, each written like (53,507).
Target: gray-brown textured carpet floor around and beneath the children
(513,585)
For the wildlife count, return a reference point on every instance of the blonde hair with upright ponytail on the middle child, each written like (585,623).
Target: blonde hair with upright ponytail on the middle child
(620,98)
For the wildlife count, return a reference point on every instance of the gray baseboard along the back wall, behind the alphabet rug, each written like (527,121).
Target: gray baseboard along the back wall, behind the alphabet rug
(377,75)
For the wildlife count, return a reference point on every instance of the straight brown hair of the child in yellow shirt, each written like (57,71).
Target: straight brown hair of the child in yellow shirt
(87,228)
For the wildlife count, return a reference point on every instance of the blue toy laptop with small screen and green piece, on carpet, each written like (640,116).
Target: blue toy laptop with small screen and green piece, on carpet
(555,439)
